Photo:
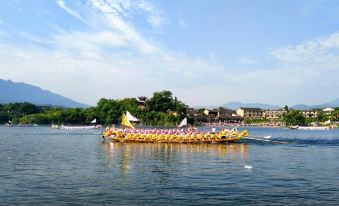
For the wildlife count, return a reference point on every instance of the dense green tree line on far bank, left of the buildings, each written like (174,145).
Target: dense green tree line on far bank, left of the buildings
(161,109)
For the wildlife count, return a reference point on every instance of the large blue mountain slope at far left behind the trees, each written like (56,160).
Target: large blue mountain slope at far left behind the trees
(22,92)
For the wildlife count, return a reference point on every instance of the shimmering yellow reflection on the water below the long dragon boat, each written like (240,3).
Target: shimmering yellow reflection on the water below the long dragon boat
(125,156)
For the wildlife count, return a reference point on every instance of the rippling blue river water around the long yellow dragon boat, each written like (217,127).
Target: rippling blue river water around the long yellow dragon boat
(41,165)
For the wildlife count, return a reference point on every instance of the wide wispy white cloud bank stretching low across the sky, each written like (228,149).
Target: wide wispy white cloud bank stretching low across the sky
(112,59)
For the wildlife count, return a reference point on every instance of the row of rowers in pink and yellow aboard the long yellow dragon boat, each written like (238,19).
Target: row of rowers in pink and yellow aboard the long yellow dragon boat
(189,133)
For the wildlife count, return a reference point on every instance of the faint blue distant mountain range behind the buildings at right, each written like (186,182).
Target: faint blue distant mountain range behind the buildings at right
(237,105)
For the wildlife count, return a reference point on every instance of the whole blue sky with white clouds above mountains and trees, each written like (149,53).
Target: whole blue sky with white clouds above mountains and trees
(205,52)
